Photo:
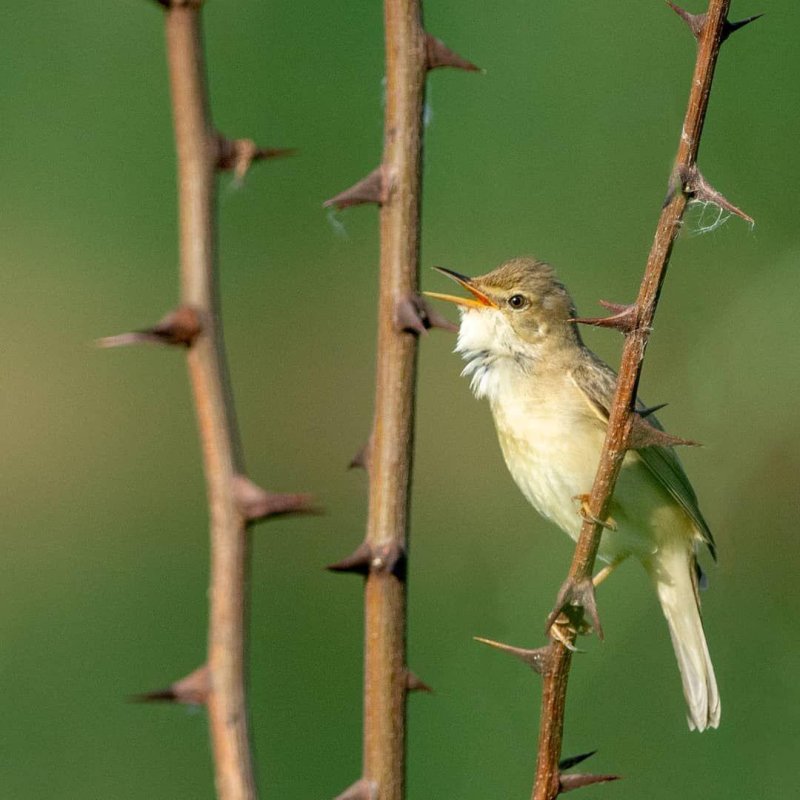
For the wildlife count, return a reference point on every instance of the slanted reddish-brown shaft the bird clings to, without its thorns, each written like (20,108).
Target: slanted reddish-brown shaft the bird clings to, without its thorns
(546,786)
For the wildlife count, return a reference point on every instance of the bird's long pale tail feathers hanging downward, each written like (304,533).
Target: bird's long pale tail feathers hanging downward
(673,571)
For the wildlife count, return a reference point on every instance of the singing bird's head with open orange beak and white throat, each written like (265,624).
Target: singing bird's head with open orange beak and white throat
(520,308)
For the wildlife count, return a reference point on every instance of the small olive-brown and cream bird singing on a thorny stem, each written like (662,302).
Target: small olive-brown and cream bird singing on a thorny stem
(550,397)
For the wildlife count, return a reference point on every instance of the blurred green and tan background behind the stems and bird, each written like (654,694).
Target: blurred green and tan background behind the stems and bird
(562,149)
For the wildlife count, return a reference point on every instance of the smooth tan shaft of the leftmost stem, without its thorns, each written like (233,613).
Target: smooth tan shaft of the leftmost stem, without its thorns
(197,156)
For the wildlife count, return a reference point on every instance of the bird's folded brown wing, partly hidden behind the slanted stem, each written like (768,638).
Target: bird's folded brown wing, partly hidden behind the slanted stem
(597,381)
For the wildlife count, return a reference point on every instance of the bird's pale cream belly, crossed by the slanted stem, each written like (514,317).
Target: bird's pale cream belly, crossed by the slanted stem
(552,452)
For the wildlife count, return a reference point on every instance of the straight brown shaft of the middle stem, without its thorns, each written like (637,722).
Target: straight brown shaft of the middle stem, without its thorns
(392,433)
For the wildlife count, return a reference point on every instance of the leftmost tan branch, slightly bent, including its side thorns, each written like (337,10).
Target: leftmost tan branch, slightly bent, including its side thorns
(234,501)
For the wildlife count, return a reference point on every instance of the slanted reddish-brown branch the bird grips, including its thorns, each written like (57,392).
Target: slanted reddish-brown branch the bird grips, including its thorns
(686,184)
